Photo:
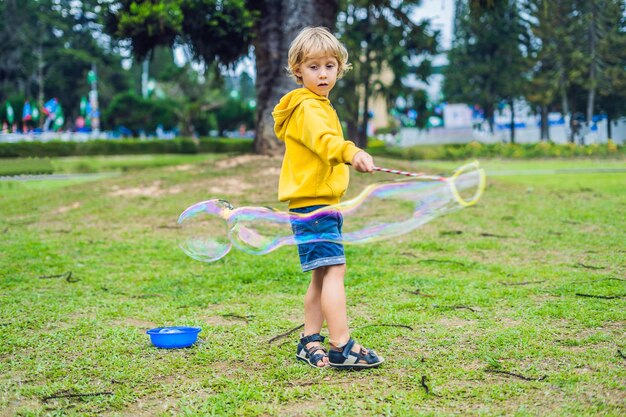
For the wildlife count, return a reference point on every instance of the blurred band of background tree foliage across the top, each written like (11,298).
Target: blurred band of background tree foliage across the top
(567,56)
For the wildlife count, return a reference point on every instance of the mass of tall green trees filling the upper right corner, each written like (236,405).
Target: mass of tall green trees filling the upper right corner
(564,55)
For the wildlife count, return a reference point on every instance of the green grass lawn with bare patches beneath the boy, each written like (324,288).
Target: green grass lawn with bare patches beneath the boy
(552,234)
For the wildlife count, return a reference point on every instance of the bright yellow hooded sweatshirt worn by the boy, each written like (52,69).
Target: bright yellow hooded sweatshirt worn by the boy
(314,170)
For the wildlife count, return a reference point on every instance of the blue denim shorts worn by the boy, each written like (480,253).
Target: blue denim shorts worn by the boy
(327,227)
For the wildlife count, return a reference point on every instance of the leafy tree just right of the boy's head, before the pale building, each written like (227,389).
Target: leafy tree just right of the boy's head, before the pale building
(381,39)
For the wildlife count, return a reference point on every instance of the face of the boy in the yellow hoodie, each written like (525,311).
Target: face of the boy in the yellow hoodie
(319,73)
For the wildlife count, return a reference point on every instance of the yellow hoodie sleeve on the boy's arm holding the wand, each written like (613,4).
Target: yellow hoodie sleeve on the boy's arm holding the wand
(321,136)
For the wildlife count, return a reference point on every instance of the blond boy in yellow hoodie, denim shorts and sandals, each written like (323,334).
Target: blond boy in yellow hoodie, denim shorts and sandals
(314,175)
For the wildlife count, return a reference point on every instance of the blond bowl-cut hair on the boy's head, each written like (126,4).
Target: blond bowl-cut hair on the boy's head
(312,41)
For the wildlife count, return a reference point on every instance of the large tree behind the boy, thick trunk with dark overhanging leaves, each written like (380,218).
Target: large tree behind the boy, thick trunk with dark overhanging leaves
(222,32)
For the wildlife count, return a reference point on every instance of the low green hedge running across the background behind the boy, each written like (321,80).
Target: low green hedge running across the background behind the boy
(23,158)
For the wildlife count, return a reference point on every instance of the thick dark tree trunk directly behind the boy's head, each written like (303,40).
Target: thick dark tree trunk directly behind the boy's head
(279,23)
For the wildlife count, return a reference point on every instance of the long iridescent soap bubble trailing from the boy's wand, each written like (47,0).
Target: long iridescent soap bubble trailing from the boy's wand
(383,210)
